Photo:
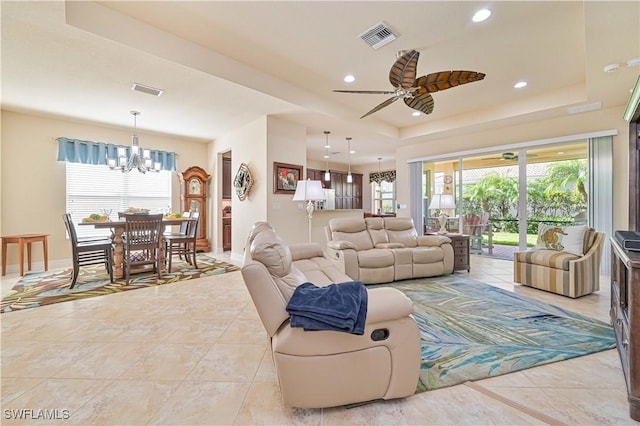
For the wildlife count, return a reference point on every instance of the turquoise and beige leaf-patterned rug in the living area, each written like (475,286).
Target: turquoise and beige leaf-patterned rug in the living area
(473,331)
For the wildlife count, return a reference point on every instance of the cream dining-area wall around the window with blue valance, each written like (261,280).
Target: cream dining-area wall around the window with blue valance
(33,181)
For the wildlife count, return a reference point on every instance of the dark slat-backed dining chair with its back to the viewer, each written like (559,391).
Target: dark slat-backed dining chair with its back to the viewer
(142,242)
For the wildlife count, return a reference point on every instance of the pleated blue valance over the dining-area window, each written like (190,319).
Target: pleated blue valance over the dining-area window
(89,152)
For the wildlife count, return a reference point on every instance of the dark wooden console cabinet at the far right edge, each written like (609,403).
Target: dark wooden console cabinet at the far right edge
(625,318)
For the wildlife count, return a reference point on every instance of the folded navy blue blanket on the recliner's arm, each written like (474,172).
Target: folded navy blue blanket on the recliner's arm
(337,307)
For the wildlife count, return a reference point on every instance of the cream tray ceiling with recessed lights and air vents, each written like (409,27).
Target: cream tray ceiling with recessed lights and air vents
(223,64)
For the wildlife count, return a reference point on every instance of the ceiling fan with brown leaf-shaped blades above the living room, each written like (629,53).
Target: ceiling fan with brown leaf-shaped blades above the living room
(416,93)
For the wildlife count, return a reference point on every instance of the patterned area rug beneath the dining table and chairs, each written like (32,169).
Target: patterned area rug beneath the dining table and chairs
(45,288)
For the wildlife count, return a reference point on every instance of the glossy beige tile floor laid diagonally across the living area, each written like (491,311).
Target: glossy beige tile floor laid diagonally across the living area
(196,353)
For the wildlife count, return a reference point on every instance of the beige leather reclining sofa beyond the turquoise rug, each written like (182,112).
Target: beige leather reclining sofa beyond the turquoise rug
(381,250)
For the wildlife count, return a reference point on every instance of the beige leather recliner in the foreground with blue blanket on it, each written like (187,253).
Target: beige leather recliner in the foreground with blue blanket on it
(327,368)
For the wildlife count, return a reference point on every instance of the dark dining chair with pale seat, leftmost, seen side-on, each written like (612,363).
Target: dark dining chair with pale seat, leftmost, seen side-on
(88,251)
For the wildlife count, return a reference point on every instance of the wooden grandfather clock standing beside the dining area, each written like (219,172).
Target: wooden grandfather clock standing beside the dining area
(193,188)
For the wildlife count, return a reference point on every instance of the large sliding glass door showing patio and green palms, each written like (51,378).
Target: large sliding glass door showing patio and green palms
(501,198)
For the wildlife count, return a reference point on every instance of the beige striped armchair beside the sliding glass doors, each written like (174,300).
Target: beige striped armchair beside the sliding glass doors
(560,272)
